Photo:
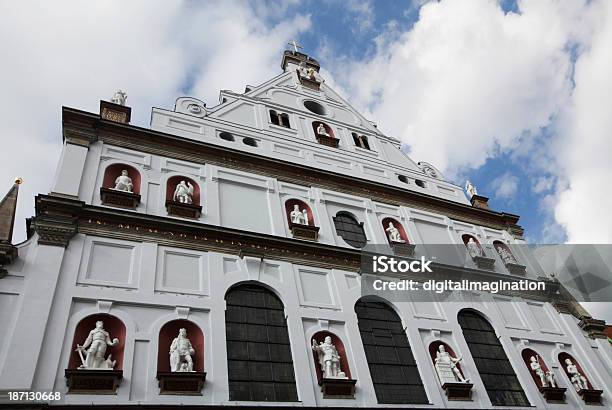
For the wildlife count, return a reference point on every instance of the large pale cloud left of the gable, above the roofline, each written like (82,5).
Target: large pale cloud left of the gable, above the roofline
(75,53)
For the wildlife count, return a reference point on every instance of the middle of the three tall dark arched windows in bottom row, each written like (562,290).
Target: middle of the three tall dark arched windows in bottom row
(392,366)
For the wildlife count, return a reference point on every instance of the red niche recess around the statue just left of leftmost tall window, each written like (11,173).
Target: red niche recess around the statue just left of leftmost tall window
(167,334)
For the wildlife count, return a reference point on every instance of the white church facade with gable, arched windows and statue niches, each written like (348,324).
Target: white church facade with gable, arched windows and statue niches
(215,259)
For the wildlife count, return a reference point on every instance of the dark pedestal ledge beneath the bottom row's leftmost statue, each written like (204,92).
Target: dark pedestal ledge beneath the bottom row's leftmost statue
(93,381)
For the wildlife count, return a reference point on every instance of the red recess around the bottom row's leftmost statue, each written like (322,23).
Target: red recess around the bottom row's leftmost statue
(115,329)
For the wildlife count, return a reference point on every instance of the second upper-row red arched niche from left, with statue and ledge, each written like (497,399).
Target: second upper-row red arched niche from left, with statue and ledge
(178,200)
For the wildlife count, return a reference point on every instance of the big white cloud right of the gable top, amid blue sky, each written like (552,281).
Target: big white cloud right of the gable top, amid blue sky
(468,80)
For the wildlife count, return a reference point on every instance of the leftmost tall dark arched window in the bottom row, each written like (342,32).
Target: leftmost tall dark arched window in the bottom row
(259,361)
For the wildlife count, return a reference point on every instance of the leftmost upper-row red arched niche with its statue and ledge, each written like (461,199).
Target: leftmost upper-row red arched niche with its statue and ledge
(121,186)
